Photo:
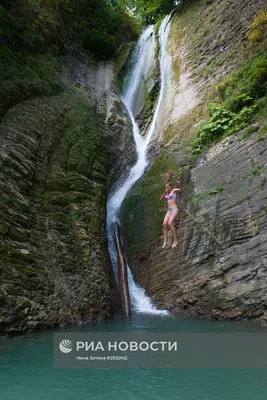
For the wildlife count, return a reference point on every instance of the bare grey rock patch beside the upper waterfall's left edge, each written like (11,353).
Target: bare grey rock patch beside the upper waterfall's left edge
(116,131)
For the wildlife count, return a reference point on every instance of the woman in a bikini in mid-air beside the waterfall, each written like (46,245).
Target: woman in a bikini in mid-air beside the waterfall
(172,212)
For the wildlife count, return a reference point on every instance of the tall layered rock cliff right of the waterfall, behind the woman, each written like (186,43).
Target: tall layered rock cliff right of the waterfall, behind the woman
(219,269)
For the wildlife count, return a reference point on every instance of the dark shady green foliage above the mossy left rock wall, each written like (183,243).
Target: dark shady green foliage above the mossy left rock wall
(35,36)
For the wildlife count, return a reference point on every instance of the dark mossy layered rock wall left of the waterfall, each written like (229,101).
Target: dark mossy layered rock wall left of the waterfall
(54,261)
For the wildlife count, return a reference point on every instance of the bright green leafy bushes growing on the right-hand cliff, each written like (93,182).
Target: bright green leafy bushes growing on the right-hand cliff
(241,98)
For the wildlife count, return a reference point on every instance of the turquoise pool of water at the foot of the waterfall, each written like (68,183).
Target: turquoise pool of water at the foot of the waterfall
(27,372)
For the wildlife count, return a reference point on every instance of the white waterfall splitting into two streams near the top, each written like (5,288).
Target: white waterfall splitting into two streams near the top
(140,301)
